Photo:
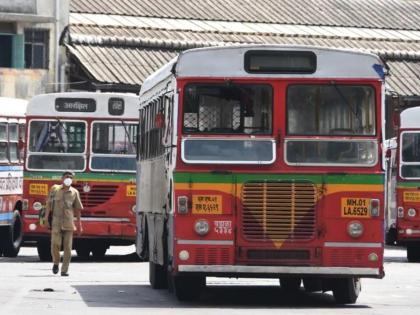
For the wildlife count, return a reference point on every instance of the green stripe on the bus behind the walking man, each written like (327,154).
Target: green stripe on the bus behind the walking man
(80,176)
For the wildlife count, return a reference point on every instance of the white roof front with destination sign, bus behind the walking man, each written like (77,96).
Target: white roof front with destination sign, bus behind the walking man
(84,105)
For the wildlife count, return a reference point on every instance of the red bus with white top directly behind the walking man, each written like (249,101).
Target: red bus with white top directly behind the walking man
(94,135)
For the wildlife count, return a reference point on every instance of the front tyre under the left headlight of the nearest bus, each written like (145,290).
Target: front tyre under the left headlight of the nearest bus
(188,288)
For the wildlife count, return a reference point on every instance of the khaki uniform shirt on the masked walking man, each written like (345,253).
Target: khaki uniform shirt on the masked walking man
(63,204)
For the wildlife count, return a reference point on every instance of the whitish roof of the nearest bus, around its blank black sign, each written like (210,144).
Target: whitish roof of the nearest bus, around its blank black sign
(228,62)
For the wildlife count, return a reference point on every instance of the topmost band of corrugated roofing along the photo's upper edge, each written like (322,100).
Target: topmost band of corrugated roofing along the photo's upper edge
(389,14)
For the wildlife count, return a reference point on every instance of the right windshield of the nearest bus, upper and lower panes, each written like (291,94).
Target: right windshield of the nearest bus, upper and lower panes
(331,110)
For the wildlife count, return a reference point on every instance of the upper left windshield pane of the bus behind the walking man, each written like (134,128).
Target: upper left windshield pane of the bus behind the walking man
(57,136)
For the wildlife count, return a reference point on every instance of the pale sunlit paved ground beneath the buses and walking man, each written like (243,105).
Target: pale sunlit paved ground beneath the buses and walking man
(119,285)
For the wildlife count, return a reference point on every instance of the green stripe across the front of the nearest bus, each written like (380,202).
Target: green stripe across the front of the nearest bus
(186,177)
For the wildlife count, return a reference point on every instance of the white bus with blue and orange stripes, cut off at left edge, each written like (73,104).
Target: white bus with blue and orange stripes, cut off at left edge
(12,133)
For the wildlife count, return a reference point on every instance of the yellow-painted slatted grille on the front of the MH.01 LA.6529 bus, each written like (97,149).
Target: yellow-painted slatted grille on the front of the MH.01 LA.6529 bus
(278,210)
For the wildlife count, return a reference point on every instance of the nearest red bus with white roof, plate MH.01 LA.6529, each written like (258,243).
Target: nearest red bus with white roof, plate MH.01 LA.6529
(263,161)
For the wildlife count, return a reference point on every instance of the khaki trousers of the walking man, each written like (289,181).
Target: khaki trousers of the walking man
(58,238)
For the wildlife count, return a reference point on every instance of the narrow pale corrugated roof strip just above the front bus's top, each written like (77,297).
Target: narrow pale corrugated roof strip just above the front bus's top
(179,39)
